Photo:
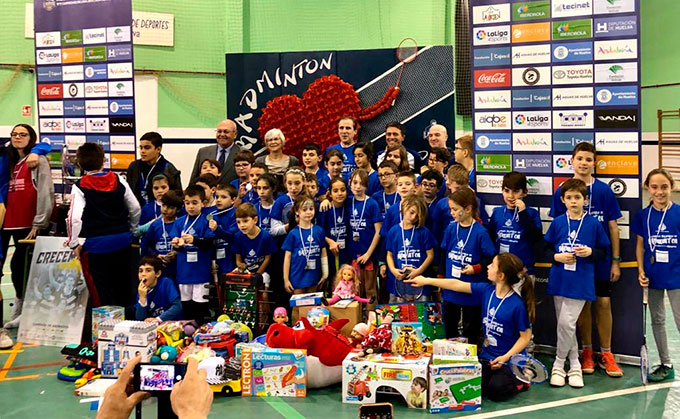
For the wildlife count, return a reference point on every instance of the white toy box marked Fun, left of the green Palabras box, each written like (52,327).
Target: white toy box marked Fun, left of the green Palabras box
(363,377)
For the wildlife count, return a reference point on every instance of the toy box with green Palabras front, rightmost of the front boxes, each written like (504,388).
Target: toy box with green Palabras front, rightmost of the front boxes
(455,387)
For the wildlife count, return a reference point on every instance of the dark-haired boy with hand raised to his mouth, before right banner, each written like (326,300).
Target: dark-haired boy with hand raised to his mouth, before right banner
(514,227)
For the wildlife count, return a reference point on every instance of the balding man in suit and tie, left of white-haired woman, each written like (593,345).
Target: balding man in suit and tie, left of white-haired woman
(224,152)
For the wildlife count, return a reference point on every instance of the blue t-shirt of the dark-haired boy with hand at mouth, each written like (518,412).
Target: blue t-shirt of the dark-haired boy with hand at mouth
(511,233)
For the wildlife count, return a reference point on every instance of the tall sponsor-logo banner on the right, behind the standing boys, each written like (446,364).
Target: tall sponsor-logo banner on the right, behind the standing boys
(547,75)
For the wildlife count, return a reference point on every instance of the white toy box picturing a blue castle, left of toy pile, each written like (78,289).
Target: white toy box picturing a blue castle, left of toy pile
(120,341)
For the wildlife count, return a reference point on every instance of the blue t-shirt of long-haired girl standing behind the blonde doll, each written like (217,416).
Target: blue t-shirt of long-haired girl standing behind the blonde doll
(362,218)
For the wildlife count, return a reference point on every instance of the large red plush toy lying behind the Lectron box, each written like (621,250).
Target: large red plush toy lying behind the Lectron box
(329,345)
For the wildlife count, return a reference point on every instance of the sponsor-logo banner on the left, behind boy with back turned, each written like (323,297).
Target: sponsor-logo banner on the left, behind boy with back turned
(85,77)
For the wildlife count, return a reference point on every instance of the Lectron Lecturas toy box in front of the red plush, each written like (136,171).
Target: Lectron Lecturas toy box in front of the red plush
(273,372)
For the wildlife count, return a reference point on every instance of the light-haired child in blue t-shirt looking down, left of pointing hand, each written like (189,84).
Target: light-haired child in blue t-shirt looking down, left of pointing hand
(410,246)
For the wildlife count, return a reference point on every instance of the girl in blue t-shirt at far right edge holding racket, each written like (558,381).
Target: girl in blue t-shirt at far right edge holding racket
(658,258)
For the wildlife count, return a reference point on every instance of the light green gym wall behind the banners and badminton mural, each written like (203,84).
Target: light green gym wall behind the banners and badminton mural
(206,29)
